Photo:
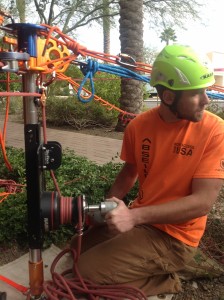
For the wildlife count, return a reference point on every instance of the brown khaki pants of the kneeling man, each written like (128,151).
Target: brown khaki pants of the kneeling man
(143,257)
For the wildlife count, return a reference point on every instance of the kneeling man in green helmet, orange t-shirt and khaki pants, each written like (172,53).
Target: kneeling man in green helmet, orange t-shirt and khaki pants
(176,152)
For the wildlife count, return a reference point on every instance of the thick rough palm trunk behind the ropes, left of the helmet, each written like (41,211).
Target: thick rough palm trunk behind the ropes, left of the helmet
(131,37)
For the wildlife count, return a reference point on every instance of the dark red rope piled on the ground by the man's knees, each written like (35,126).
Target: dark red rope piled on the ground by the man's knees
(63,285)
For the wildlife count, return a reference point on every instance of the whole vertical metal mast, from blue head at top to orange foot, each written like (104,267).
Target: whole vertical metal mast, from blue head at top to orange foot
(27,42)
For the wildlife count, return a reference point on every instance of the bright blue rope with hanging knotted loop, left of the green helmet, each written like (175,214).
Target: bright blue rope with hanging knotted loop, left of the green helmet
(91,67)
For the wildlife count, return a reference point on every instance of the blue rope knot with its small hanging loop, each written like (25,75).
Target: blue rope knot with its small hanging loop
(88,69)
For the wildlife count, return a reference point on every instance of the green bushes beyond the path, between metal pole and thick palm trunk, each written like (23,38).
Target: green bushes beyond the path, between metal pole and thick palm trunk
(64,108)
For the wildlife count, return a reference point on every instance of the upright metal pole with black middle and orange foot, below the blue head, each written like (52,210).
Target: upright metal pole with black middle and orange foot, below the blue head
(34,186)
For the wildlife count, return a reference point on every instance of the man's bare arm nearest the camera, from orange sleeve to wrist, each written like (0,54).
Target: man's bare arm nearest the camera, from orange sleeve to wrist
(199,203)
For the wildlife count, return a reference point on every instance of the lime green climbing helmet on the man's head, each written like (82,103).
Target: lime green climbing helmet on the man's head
(179,68)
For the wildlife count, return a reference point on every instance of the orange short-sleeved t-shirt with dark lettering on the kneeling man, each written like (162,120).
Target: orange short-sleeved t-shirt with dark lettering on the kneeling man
(168,156)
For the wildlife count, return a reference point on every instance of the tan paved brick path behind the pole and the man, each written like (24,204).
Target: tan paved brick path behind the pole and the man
(96,148)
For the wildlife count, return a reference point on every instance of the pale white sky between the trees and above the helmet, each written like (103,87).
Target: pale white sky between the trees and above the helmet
(205,37)
